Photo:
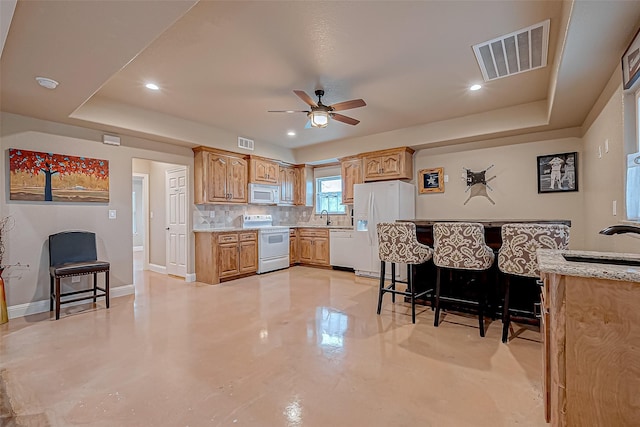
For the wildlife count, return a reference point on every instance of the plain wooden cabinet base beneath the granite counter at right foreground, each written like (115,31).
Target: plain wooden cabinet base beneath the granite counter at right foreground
(591,350)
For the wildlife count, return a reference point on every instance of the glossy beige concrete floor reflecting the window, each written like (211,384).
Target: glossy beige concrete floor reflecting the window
(297,347)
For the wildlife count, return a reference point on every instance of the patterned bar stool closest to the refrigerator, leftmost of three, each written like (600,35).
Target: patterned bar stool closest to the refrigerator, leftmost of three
(398,244)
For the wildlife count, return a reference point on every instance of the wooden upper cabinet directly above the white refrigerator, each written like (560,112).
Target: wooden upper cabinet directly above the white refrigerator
(396,163)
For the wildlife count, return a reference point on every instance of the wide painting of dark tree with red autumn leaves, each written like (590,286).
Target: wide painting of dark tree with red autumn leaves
(49,177)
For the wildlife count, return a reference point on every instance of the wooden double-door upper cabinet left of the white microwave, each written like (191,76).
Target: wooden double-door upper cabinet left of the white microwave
(219,177)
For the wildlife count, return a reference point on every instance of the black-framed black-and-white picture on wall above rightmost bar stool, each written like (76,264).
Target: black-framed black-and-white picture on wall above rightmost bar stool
(558,173)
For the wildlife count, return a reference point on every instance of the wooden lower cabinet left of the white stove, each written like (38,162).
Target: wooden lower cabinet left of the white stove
(225,255)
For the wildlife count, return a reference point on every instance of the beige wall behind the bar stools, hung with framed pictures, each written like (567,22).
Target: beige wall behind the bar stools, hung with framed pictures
(515,190)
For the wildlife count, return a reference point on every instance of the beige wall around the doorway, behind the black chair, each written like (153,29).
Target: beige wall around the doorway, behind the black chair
(35,221)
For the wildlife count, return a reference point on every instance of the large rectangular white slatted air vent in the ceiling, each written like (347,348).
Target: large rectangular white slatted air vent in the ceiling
(520,51)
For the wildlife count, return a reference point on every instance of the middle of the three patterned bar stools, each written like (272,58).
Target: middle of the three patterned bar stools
(461,246)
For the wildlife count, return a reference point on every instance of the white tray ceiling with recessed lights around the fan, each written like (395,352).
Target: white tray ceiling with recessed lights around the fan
(222,65)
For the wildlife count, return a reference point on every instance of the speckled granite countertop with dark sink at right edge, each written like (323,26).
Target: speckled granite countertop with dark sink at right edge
(552,261)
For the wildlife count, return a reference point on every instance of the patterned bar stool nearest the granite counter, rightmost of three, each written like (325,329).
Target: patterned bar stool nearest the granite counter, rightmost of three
(517,257)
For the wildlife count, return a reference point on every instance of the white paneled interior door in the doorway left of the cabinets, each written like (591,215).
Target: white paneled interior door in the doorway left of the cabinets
(177,208)
